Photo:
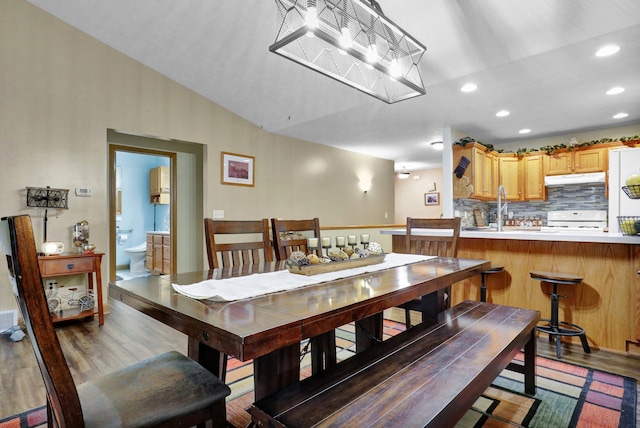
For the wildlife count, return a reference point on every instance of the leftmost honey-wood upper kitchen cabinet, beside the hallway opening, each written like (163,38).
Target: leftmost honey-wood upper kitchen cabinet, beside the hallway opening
(480,179)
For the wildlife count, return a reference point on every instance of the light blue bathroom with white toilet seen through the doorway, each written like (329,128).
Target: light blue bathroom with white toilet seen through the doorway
(137,214)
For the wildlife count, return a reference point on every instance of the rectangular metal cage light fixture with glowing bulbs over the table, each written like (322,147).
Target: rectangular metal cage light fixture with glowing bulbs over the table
(352,42)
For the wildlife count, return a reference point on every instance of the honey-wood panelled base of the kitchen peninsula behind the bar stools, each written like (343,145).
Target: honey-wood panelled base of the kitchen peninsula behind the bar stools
(606,304)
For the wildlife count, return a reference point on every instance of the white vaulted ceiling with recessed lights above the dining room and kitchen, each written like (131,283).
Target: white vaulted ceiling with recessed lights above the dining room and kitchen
(535,59)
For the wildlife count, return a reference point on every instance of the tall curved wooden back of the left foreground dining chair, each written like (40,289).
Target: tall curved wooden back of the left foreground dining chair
(18,244)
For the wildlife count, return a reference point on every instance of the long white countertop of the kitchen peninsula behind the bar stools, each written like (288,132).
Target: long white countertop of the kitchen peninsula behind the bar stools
(534,235)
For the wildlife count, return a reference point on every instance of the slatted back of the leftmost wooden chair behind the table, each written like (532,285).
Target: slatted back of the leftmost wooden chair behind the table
(238,253)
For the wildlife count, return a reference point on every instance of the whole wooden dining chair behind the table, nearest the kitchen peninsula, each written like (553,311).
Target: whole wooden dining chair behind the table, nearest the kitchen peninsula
(442,242)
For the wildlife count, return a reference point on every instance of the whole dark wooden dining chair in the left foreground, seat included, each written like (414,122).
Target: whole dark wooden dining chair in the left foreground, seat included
(167,390)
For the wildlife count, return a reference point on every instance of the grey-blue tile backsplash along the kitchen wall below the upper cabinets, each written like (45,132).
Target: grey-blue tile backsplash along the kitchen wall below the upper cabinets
(568,197)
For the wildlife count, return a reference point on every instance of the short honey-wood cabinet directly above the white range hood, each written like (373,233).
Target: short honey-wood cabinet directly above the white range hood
(577,161)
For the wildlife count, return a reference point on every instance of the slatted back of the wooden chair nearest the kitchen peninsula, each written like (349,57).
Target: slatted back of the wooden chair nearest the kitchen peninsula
(438,244)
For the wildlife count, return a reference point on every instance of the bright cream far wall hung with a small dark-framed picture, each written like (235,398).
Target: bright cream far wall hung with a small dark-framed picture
(410,195)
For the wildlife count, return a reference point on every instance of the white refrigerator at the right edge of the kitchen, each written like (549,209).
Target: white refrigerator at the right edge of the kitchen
(622,163)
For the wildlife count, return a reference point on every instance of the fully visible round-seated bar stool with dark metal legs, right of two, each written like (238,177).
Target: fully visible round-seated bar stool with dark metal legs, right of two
(554,326)
